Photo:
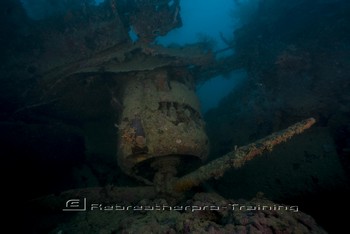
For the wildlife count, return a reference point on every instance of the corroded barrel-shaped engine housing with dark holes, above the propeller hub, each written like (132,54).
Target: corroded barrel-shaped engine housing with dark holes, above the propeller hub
(161,118)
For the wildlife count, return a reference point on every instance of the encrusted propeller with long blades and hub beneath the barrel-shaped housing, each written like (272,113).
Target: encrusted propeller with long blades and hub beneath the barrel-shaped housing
(167,185)
